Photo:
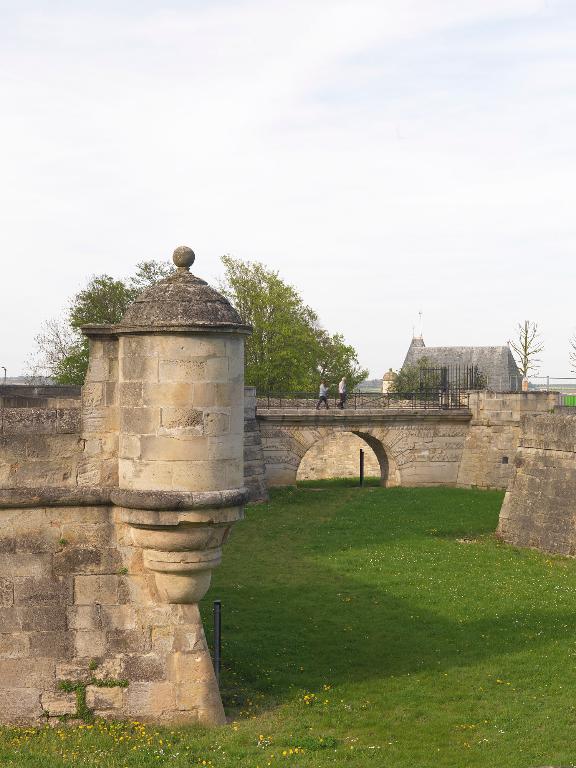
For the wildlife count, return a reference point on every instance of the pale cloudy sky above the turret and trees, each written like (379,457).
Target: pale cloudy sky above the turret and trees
(387,157)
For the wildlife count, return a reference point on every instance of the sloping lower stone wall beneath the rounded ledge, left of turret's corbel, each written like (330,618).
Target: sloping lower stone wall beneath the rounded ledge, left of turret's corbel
(77,606)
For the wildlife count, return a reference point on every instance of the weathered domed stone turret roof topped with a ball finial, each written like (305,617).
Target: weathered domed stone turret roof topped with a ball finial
(181,300)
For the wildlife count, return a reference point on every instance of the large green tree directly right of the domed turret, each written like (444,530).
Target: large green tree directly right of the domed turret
(288,350)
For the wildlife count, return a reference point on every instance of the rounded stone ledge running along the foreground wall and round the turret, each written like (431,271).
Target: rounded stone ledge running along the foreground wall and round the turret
(27,498)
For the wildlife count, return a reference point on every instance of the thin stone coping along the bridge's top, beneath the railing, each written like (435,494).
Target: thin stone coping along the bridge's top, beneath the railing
(361,416)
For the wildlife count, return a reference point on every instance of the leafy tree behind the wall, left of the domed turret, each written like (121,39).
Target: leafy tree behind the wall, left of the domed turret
(62,350)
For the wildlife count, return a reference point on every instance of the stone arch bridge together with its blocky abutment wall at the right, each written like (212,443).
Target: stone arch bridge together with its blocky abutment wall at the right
(470,448)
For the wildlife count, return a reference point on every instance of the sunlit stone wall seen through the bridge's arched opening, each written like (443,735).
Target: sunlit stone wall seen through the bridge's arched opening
(338,456)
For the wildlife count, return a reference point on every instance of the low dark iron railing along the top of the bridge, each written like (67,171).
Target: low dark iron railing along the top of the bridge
(445,400)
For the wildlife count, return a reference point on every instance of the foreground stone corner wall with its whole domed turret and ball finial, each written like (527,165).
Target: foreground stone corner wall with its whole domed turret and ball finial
(113,511)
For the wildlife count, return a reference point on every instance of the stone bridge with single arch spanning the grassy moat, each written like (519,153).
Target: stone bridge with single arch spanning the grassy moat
(419,446)
